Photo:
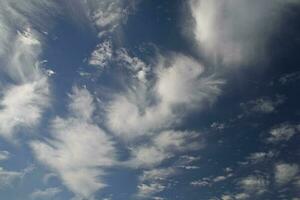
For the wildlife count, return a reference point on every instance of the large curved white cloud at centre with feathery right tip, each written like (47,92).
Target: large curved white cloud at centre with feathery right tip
(180,84)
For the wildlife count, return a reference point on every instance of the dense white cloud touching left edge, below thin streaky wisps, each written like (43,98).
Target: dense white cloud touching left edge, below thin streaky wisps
(22,106)
